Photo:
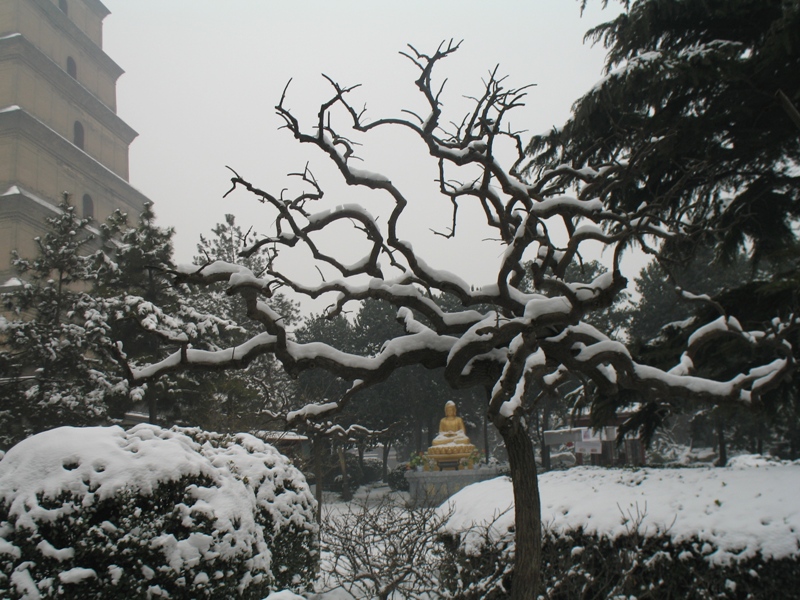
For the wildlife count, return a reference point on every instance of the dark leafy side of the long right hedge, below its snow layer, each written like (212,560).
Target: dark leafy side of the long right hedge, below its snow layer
(580,566)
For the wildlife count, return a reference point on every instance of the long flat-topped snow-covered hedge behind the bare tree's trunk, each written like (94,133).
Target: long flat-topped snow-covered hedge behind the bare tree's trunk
(692,533)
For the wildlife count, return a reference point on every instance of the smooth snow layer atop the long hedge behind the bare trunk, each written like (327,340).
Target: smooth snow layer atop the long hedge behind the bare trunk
(748,507)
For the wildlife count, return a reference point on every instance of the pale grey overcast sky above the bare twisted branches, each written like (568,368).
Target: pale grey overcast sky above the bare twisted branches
(203,77)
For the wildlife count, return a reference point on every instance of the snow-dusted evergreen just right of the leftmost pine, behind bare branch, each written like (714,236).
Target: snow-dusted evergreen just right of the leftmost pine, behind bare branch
(135,280)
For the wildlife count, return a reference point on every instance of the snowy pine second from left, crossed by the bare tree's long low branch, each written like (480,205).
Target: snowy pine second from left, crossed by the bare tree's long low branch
(150,315)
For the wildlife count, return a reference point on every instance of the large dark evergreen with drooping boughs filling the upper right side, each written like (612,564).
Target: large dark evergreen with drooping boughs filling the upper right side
(697,114)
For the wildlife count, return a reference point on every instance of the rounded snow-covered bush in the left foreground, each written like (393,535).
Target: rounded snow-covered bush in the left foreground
(106,513)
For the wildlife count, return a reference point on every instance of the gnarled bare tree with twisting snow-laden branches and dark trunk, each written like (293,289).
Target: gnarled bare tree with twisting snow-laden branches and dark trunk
(525,328)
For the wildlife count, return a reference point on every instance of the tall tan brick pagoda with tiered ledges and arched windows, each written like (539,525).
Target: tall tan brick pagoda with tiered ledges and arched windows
(59,129)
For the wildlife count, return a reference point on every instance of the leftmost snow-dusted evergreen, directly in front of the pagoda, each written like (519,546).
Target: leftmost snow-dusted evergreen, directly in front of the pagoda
(55,338)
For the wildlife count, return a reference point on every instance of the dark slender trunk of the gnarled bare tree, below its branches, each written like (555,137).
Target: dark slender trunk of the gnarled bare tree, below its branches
(527,511)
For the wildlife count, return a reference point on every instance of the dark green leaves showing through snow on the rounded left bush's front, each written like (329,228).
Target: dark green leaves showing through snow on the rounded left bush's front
(116,538)
